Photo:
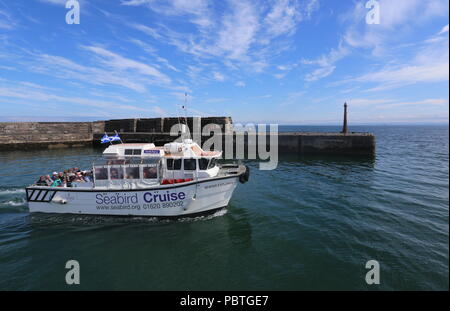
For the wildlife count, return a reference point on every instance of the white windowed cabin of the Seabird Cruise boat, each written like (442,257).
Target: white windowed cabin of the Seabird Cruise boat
(133,166)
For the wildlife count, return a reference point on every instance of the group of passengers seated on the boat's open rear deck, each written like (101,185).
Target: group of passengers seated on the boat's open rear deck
(65,179)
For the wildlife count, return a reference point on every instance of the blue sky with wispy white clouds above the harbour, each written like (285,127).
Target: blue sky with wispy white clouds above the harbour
(283,61)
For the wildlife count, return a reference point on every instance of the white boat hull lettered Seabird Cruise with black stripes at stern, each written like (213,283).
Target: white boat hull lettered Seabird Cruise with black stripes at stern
(175,200)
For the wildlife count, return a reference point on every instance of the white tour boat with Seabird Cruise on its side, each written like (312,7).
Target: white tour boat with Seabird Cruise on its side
(178,179)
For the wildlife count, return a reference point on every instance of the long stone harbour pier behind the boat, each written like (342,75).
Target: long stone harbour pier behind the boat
(34,135)
